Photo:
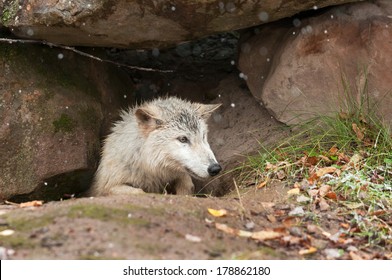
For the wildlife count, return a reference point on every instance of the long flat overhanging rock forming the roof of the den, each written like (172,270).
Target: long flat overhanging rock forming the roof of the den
(145,24)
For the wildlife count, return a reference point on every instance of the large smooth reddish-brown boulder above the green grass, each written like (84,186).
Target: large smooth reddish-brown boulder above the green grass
(295,68)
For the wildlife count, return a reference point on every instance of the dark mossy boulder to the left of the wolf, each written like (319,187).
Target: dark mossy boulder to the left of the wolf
(50,120)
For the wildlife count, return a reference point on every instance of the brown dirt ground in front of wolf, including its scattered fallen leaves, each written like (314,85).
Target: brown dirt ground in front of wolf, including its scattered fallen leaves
(154,226)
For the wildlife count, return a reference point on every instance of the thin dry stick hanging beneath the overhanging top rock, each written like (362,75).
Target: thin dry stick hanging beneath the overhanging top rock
(24,41)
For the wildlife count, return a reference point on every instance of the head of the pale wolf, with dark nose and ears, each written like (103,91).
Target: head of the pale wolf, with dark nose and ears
(175,133)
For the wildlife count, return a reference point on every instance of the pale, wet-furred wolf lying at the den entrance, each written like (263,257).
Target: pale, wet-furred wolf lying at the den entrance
(157,147)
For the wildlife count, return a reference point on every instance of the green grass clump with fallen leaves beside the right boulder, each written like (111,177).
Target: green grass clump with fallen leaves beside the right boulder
(357,143)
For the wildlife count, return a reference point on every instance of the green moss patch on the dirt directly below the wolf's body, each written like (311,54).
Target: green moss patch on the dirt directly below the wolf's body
(103,213)
